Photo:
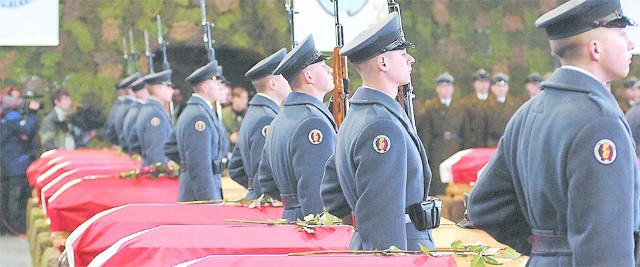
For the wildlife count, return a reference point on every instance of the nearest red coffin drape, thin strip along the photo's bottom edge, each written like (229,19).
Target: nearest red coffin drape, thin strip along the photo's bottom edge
(320,260)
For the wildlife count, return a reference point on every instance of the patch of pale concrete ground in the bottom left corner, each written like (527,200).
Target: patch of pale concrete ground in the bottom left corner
(14,252)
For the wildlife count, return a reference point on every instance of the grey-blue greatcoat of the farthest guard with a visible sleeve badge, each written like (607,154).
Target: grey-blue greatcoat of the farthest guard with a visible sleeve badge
(153,129)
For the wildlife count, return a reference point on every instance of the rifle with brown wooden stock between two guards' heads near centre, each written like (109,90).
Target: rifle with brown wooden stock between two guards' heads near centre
(340,75)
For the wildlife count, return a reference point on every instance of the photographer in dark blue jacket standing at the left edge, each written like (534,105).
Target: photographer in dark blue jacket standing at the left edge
(17,130)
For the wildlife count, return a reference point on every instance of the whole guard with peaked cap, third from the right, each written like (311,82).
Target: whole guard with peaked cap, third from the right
(301,137)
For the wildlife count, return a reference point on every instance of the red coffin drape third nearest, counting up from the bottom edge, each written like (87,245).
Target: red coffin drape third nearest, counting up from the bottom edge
(103,230)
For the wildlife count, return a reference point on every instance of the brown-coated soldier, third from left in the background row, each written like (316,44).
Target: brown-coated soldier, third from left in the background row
(501,108)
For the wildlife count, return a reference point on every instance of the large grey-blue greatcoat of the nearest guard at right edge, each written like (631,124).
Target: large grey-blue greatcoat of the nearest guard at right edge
(547,177)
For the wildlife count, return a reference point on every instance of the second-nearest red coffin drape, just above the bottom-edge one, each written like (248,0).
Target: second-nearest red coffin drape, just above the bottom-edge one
(168,245)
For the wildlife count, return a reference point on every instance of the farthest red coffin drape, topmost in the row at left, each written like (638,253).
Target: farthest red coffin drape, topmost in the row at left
(41,164)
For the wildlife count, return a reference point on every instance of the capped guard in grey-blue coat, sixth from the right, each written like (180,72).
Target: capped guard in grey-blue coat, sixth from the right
(154,125)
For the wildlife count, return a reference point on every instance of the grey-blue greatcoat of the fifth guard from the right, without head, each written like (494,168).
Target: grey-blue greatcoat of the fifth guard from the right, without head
(195,142)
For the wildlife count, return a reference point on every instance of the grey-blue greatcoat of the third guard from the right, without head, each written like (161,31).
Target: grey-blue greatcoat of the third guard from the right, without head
(291,162)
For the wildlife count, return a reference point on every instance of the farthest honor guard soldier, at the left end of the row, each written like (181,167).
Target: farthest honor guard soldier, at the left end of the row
(113,126)
